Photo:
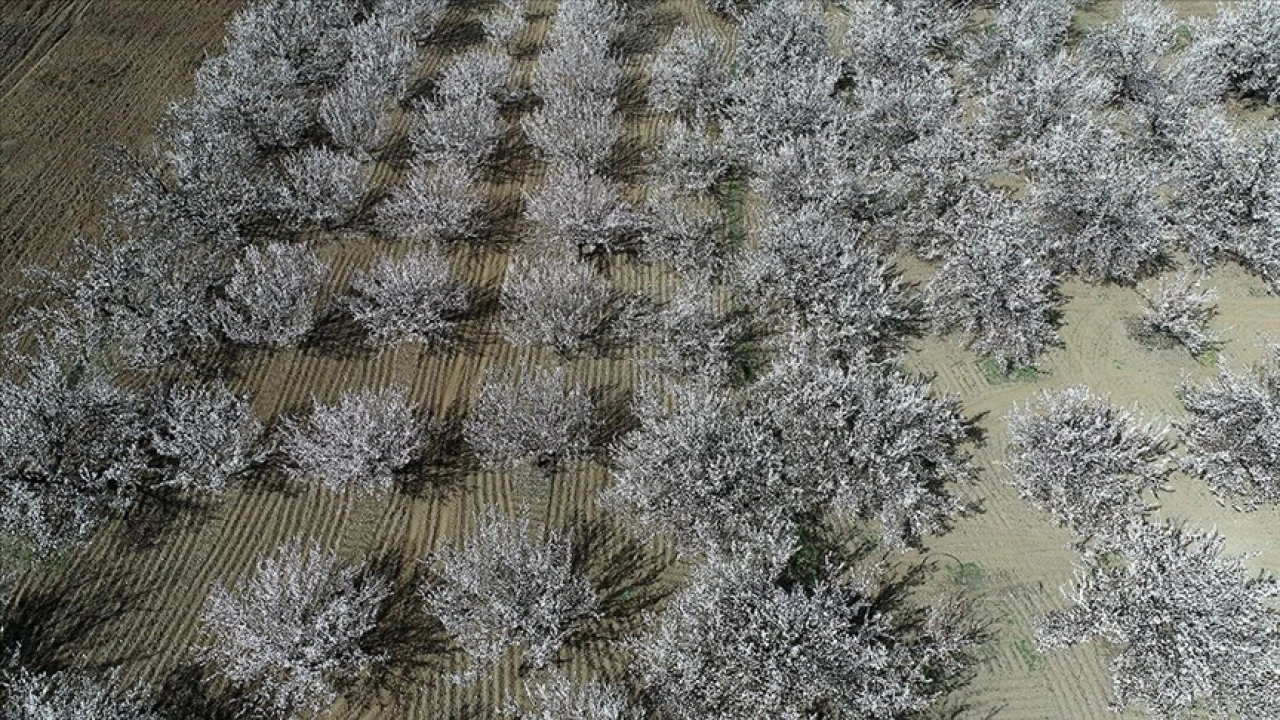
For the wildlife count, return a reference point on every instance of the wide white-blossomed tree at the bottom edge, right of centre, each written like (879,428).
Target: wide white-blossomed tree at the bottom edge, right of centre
(738,645)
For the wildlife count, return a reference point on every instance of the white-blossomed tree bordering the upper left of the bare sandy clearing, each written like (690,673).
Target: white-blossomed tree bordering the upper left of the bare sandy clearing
(993,286)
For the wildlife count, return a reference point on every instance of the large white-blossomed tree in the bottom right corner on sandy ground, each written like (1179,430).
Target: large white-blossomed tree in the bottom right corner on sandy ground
(1195,634)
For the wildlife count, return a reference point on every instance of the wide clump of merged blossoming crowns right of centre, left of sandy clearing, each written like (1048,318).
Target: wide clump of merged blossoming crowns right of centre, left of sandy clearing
(806,440)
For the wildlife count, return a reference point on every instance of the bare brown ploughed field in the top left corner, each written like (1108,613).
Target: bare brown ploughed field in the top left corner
(76,75)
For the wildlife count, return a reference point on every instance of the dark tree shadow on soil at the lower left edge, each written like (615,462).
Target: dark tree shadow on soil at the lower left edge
(53,626)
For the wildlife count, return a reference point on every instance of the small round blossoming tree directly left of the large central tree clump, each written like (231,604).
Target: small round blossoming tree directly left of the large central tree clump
(529,416)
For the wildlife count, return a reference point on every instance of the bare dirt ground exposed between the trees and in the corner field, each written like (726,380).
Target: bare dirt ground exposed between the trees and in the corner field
(80,74)
